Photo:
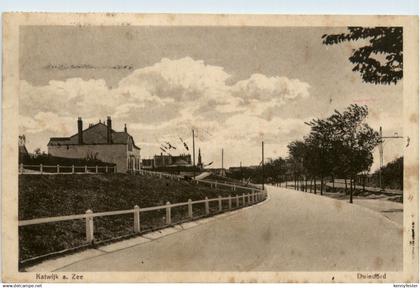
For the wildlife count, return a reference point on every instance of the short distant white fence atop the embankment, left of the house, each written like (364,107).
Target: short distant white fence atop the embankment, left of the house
(58,169)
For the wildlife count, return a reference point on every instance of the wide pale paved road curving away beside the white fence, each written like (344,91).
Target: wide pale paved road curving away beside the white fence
(293,231)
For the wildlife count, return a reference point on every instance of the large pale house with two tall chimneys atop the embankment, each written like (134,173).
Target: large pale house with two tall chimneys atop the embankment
(99,141)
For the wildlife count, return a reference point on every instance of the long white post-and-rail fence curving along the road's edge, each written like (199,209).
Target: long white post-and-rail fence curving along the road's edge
(239,201)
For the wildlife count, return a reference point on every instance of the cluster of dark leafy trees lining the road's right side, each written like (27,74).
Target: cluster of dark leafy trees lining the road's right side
(339,146)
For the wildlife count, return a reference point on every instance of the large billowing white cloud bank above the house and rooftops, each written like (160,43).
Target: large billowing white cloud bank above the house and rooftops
(164,101)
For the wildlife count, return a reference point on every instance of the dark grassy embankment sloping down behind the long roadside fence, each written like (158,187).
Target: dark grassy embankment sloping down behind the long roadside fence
(58,195)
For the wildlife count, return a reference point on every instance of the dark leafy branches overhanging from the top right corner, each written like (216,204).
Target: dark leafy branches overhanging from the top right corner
(384,42)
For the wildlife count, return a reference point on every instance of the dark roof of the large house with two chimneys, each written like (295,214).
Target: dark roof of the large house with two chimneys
(95,134)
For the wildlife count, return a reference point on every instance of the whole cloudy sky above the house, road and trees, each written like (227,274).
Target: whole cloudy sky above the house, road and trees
(235,86)
